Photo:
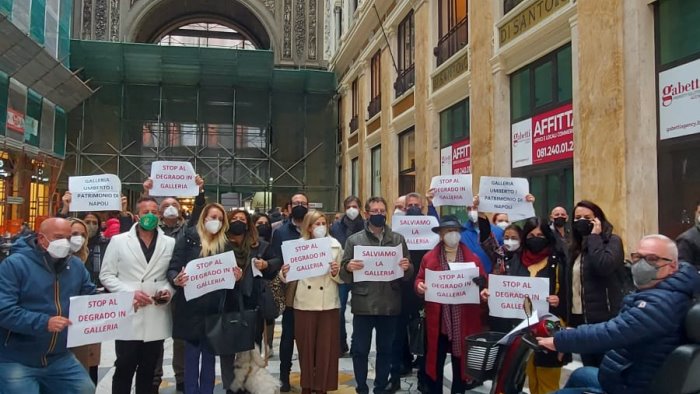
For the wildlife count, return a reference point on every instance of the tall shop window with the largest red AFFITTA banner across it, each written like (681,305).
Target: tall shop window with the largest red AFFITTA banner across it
(542,140)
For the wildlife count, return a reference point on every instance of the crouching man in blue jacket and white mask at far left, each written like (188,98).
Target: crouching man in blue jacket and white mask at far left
(36,283)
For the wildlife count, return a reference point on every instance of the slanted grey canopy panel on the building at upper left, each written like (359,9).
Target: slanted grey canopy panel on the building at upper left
(27,62)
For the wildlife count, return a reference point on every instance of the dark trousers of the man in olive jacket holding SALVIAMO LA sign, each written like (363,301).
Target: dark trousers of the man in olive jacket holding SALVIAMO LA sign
(362,341)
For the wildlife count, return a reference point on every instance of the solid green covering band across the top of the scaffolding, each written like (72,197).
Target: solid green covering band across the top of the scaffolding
(108,62)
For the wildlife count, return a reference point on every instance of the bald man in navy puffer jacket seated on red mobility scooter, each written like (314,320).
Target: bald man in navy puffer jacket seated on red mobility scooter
(648,328)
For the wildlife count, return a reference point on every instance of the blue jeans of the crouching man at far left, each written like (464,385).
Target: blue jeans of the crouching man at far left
(62,375)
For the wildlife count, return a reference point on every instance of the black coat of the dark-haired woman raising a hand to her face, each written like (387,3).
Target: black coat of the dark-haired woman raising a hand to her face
(602,266)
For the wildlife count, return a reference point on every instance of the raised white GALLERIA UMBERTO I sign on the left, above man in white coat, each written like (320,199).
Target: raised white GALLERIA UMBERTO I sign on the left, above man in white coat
(95,193)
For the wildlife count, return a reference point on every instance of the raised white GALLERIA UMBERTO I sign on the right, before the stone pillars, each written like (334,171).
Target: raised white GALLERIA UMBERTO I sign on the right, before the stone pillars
(505,195)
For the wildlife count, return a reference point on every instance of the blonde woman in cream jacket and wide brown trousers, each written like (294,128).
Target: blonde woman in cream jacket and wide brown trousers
(316,314)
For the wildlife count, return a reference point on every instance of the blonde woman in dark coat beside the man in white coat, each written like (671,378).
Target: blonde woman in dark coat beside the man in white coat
(207,238)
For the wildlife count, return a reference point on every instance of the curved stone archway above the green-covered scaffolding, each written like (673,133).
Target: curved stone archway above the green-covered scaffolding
(146,20)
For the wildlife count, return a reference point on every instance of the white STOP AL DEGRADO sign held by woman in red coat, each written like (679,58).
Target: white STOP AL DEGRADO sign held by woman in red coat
(452,287)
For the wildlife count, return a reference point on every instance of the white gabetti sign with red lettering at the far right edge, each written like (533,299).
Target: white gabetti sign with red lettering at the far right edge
(679,101)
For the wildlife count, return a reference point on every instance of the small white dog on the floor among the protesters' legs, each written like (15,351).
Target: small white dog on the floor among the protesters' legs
(250,374)
